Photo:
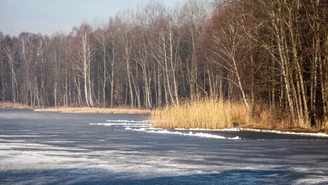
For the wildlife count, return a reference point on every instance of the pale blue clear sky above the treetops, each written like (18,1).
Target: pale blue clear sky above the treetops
(50,16)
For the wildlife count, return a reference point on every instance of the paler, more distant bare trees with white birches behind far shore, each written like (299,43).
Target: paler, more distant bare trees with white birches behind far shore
(142,58)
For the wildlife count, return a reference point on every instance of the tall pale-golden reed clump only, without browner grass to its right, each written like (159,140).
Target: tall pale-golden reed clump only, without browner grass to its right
(209,114)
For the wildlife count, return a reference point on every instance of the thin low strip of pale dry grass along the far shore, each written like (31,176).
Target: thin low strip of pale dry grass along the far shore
(94,110)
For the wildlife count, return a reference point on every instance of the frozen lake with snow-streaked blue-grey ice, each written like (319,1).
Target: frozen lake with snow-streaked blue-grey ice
(57,148)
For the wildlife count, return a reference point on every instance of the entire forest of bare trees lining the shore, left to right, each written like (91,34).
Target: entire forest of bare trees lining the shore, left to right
(263,53)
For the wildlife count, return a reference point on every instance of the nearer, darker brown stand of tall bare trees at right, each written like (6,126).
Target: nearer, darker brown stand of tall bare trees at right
(273,53)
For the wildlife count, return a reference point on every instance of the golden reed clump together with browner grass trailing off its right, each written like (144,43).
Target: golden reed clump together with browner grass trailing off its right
(212,114)
